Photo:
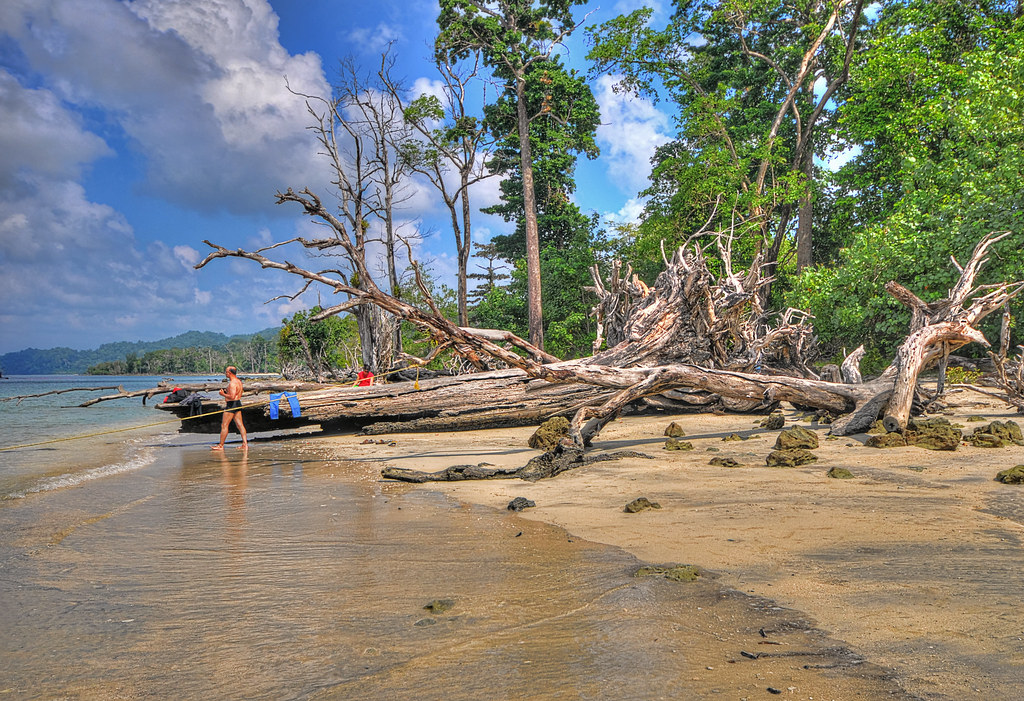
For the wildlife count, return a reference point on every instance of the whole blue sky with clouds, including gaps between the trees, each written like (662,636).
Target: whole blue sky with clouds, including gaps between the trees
(135,130)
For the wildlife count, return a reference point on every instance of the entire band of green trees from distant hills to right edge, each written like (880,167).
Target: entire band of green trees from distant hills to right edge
(841,146)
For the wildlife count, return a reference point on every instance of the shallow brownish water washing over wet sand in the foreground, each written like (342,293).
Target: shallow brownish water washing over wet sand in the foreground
(281,575)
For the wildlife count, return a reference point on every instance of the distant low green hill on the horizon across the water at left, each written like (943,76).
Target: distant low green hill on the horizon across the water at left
(71,362)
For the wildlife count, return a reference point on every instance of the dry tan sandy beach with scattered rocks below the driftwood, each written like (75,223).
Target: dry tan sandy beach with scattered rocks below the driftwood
(914,564)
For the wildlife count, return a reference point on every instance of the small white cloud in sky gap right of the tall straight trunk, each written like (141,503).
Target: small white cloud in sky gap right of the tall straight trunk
(632,128)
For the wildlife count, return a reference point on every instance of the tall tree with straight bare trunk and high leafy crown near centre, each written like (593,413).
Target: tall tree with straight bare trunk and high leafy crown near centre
(513,36)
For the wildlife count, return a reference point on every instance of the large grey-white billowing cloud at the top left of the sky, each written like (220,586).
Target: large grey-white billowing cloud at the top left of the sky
(197,87)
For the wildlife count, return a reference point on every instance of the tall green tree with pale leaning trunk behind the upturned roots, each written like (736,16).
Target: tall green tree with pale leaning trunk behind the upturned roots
(753,82)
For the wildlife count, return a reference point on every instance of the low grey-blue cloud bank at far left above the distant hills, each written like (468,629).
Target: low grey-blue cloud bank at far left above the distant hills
(74,268)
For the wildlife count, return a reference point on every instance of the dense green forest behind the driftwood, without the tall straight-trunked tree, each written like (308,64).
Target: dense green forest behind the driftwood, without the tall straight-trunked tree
(922,101)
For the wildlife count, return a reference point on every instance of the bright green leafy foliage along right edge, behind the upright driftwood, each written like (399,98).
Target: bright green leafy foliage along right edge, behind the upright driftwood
(940,105)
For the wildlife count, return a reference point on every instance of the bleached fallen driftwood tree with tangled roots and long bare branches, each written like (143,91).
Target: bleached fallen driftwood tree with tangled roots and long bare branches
(690,331)
